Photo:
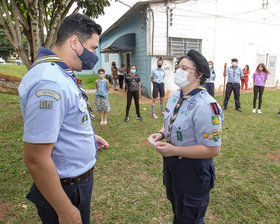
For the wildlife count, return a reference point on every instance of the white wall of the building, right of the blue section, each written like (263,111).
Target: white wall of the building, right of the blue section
(240,29)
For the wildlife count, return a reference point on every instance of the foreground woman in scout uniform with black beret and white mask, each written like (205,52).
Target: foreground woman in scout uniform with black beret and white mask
(192,128)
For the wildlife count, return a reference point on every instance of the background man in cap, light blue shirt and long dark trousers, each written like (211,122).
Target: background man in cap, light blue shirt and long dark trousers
(234,74)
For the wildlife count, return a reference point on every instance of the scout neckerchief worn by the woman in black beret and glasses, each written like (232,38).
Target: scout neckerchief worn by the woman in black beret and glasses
(177,107)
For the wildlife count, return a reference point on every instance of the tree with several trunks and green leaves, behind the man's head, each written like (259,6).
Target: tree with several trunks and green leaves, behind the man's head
(20,18)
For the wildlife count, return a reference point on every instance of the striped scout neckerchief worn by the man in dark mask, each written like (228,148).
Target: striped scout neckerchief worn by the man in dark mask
(46,55)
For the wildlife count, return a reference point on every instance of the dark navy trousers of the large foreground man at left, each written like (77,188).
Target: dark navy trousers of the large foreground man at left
(79,195)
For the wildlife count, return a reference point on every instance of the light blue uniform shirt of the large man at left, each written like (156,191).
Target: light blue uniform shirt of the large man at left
(54,111)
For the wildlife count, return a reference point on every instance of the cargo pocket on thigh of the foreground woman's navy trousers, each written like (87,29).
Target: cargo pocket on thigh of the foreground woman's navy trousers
(194,208)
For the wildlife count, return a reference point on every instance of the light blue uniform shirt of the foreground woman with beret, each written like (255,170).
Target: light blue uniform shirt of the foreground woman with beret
(195,123)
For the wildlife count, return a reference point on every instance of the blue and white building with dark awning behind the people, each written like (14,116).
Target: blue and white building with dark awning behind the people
(220,29)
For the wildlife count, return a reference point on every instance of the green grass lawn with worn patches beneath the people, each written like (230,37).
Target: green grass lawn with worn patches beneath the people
(128,176)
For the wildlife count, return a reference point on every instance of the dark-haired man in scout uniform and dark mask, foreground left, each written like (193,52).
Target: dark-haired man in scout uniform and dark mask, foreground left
(59,141)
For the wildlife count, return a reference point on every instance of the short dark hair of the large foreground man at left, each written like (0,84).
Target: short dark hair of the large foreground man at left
(77,24)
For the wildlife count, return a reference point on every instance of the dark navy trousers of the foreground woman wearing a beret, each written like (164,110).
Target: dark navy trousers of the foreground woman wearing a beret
(188,183)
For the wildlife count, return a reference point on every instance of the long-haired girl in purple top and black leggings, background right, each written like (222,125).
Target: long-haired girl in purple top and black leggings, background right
(259,79)
